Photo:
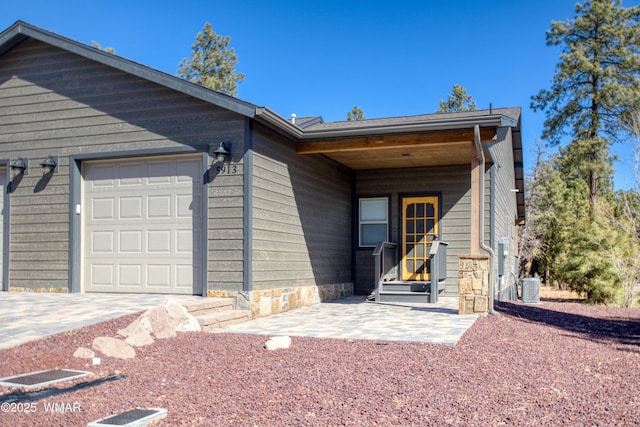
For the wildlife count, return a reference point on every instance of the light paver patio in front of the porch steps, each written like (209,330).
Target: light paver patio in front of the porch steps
(354,318)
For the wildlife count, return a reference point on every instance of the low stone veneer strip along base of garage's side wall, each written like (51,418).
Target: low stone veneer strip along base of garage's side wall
(266,302)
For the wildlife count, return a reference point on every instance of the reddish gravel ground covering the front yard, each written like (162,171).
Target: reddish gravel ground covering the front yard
(549,364)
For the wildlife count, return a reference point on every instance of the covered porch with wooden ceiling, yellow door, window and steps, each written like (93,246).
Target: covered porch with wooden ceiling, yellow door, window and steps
(432,163)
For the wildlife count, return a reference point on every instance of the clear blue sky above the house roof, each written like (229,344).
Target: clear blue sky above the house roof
(322,58)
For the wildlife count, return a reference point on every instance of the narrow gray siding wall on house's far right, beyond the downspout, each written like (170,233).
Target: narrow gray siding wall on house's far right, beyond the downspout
(504,213)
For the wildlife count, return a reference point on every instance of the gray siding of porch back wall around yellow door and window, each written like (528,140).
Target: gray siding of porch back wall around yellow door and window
(451,183)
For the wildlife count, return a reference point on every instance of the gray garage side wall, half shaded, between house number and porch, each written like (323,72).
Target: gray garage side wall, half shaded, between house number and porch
(301,216)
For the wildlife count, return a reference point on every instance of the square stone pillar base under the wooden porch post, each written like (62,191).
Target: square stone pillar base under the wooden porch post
(473,284)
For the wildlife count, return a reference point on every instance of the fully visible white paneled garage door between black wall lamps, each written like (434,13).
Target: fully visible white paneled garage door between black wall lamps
(142,225)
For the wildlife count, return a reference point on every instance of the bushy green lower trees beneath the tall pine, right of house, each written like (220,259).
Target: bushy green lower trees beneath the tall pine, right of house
(592,249)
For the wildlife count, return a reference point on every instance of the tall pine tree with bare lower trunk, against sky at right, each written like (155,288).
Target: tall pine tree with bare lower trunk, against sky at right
(597,79)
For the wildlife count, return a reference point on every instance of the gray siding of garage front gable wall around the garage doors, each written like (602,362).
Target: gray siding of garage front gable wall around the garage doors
(55,102)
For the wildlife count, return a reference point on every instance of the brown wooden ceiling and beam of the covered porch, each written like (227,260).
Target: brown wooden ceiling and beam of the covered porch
(441,148)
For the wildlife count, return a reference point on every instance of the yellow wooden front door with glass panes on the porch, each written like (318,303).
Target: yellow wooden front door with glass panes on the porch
(419,229)
